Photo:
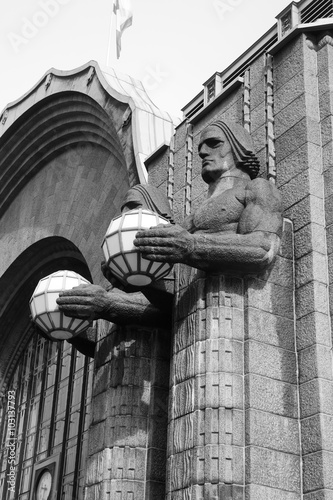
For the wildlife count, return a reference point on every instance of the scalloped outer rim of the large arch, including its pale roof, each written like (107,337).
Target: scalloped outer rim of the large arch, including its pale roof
(141,127)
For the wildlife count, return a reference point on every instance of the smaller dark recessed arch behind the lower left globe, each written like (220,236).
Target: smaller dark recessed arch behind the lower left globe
(19,281)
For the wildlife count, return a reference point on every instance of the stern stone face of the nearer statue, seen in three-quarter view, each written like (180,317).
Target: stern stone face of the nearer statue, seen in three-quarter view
(216,154)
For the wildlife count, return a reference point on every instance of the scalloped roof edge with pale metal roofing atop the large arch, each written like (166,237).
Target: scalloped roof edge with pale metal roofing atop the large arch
(150,125)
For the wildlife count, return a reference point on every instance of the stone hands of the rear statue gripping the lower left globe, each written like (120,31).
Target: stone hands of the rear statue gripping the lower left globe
(85,302)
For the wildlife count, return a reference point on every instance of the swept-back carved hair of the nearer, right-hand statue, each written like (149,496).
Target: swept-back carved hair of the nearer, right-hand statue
(241,144)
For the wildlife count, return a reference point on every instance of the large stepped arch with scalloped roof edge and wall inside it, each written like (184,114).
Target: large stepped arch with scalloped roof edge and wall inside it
(70,149)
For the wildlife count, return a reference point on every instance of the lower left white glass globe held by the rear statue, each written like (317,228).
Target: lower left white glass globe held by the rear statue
(45,311)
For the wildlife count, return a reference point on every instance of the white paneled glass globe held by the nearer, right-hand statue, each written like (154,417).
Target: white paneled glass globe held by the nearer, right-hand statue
(124,260)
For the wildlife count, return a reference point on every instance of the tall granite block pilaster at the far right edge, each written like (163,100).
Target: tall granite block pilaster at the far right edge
(303,119)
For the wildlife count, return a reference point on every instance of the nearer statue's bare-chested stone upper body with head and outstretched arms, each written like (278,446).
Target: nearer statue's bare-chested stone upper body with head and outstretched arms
(238,227)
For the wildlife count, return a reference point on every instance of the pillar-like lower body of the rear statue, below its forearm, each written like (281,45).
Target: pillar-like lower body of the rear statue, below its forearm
(127,437)
